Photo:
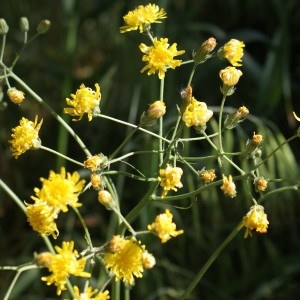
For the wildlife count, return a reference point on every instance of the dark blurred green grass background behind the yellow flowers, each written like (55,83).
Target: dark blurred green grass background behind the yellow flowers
(84,46)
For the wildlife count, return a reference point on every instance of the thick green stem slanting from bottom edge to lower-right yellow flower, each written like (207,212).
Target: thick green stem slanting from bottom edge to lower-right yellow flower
(208,263)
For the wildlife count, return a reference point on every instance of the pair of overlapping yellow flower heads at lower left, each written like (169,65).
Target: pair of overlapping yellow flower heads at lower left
(57,193)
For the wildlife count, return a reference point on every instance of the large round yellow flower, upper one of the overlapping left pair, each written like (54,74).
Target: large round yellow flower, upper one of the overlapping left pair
(60,190)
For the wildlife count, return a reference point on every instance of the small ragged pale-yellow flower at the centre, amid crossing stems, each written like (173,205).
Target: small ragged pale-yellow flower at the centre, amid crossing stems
(170,179)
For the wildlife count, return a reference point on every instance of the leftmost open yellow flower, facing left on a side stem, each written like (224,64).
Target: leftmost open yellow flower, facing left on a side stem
(25,136)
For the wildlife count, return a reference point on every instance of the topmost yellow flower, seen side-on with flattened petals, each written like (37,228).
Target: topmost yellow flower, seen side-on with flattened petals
(141,18)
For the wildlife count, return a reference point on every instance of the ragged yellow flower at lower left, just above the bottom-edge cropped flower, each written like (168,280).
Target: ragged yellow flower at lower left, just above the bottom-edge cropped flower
(63,264)
